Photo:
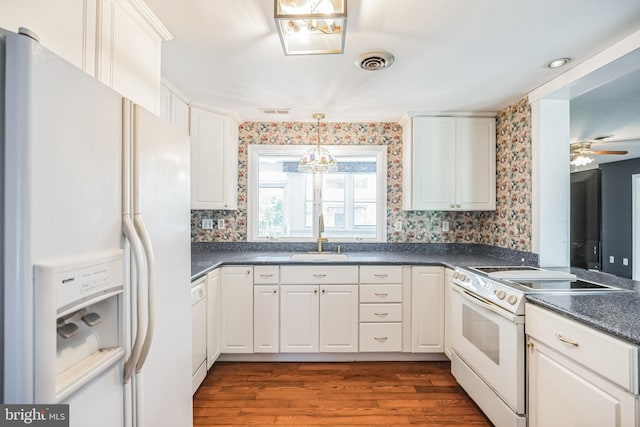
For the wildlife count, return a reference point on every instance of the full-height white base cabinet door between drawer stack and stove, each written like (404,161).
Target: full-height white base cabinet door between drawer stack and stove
(427,309)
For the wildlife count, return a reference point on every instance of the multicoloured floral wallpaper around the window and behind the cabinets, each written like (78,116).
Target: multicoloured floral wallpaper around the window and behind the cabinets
(507,227)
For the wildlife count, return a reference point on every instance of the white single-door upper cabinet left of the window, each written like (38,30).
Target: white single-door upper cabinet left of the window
(214,160)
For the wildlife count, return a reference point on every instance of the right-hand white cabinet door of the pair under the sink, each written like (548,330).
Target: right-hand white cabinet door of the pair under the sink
(339,318)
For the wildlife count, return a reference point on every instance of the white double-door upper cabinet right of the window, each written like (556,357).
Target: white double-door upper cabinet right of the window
(449,163)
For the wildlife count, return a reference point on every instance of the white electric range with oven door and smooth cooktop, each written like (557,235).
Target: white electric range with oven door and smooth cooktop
(488,333)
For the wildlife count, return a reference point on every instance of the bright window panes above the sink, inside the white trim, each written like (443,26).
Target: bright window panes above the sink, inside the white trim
(285,204)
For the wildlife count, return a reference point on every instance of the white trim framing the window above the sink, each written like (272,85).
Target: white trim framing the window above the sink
(254,152)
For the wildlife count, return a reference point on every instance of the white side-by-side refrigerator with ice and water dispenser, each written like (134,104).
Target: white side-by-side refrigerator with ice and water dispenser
(96,247)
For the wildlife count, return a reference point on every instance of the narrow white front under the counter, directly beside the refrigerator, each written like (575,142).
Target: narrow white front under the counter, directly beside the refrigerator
(198,333)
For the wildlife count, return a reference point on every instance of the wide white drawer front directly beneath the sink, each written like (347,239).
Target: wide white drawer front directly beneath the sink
(312,275)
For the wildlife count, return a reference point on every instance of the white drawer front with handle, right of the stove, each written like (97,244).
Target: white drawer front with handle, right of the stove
(610,357)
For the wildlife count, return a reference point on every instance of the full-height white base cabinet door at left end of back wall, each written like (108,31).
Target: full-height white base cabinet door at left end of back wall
(236,309)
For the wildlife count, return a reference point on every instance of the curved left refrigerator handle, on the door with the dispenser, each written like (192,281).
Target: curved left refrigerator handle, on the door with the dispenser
(138,253)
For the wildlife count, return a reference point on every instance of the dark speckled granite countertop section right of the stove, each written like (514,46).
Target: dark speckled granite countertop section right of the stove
(617,314)
